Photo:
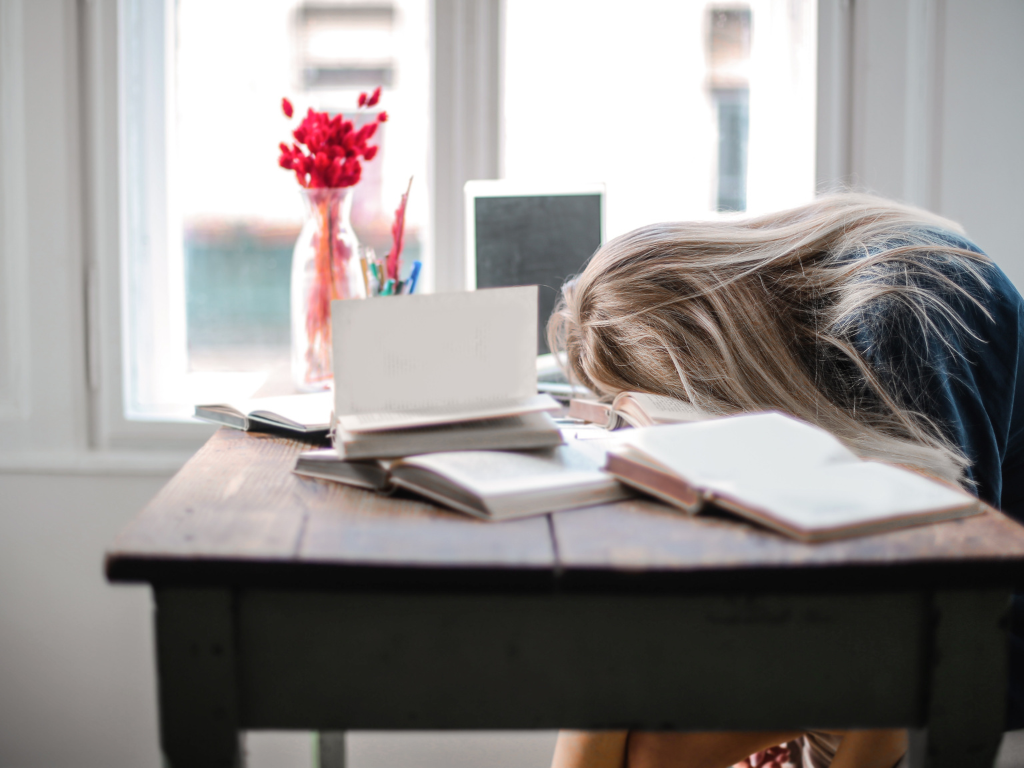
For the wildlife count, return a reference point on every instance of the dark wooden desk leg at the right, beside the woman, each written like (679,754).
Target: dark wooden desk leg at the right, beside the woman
(969,675)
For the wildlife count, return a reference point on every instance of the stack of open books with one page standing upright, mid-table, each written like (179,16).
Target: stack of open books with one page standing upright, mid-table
(438,395)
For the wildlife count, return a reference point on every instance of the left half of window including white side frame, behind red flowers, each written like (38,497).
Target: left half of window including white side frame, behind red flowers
(211,219)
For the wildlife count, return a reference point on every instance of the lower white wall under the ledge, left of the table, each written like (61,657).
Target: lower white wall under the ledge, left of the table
(76,660)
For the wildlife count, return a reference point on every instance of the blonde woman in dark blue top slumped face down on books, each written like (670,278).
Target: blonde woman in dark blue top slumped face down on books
(880,323)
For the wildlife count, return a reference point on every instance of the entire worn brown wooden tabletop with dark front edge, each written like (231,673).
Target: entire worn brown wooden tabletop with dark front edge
(236,515)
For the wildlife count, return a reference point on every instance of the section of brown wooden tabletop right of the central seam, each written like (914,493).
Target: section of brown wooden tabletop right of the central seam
(645,537)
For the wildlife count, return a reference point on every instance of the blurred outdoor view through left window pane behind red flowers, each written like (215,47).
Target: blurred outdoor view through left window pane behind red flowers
(240,212)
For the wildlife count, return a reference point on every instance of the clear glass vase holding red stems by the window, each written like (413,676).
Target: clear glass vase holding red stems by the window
(325,268)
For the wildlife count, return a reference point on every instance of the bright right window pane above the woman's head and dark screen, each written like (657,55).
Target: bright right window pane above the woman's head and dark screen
(684,110)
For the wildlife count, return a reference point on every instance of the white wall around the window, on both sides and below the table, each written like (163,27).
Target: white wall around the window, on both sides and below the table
(76,674)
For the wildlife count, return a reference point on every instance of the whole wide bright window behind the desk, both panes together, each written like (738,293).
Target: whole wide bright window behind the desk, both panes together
(648,99)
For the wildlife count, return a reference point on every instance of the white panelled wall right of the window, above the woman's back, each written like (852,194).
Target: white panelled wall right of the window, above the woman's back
(927,107)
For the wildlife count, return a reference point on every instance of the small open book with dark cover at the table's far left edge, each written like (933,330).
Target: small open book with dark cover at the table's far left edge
(306,414)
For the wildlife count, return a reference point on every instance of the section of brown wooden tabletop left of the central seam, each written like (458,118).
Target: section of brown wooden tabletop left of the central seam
(237,504)
